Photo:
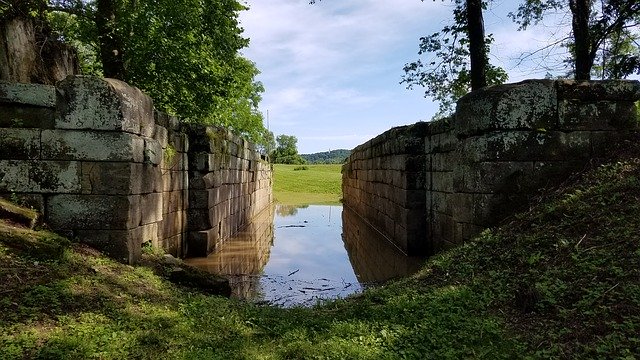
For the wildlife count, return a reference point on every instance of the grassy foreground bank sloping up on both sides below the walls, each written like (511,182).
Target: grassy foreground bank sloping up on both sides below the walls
(560,281)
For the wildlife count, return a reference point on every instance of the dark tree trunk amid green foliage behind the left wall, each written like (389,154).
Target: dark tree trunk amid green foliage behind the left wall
(110,42)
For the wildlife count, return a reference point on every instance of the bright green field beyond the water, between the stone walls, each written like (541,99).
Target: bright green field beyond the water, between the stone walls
(318,184)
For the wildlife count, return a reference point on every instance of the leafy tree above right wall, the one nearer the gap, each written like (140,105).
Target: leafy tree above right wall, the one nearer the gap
(458,59)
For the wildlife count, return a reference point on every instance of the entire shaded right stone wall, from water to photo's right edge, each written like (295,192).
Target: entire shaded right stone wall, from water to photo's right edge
(429,186)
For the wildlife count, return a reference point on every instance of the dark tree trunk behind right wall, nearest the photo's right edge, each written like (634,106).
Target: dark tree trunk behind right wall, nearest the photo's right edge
(580,24)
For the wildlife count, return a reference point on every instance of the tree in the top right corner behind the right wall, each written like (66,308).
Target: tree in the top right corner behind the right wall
(605,34)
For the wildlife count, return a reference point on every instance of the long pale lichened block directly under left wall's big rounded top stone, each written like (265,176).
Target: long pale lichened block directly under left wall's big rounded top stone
(91,146)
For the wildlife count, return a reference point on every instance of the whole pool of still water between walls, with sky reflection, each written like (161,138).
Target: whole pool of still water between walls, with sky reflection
(302,254)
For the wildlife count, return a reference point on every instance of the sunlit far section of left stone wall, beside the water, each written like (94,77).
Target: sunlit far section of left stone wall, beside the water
(229,184)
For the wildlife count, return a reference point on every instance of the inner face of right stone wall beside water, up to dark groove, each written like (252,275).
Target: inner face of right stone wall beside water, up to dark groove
(384,181)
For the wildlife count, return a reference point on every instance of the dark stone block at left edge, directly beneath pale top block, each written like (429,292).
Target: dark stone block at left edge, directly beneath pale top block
(24,116)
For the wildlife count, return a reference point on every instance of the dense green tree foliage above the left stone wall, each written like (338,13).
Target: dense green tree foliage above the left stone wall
(183,53)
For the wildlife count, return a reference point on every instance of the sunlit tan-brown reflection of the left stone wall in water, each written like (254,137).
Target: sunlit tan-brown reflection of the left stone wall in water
(243,257)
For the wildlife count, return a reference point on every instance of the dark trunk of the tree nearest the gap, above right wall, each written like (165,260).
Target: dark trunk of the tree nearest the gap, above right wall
(477,48)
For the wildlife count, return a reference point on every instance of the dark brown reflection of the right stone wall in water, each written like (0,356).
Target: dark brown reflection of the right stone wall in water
(373,257)
